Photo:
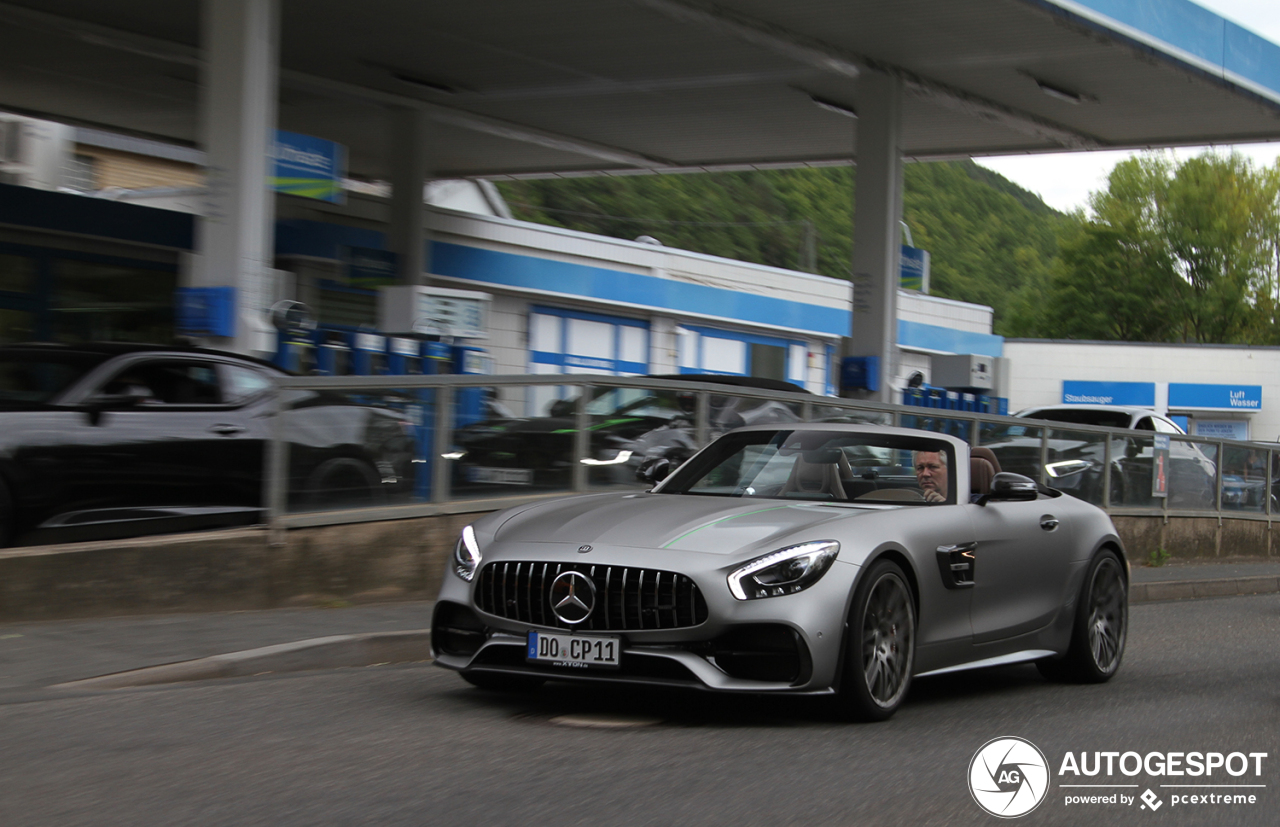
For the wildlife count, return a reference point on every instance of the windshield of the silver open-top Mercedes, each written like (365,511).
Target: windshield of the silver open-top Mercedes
(824,467)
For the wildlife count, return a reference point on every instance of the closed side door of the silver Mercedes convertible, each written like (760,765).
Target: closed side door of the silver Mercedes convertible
(1022,561)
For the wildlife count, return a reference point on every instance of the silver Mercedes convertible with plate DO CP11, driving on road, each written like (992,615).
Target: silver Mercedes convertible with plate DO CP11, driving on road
(808,559)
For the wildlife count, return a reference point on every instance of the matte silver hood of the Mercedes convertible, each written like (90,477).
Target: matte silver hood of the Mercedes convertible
(674,522)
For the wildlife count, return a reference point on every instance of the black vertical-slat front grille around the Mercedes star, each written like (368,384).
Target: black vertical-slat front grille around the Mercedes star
(627,598)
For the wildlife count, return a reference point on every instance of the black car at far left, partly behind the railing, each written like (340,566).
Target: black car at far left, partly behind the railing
(102,441)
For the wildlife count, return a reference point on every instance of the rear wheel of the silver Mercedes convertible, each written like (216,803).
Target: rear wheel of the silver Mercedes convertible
(1100,627)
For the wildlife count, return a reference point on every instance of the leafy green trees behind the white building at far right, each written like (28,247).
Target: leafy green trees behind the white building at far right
(1172,254)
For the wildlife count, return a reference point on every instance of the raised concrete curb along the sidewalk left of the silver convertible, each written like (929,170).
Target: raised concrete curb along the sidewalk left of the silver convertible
(300,656)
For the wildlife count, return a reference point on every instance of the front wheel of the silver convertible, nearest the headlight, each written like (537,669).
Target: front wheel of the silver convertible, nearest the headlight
(880,646)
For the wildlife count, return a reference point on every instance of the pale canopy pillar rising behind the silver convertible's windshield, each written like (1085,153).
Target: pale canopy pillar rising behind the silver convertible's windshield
(877,216)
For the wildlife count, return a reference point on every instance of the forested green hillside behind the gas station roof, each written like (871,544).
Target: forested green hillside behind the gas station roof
(989,239)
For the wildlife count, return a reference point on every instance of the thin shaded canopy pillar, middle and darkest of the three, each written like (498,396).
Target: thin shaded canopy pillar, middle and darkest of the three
(408,236)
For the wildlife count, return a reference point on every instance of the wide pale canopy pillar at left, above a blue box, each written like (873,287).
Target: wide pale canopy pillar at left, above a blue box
(236,236)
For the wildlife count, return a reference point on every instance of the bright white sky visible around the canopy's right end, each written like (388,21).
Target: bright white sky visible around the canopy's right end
(1066,180)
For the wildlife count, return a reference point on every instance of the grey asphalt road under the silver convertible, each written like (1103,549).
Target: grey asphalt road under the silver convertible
(415,746)
